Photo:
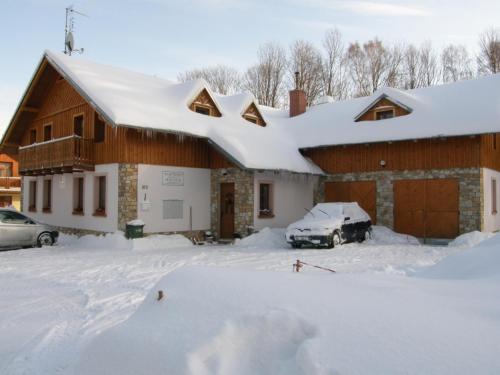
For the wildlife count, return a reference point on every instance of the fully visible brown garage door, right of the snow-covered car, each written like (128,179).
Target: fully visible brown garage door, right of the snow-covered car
(426,208)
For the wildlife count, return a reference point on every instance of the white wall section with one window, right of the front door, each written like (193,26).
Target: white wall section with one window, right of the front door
(292,193)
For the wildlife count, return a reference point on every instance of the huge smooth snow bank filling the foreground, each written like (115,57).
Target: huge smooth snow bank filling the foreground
(235,321)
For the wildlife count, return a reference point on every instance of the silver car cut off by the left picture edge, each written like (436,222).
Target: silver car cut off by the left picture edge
(18,230)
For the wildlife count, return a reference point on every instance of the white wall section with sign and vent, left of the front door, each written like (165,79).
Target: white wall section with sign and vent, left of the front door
(194,191)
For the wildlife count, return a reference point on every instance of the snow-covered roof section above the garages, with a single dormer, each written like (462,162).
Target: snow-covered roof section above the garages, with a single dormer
(461,108)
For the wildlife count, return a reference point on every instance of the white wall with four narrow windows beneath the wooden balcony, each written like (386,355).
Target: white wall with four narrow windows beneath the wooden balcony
(62,200)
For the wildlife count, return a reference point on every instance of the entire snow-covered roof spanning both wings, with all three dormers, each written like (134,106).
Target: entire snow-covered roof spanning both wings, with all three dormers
(133,99)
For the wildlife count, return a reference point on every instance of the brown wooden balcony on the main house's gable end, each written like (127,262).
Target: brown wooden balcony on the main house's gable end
(62,155)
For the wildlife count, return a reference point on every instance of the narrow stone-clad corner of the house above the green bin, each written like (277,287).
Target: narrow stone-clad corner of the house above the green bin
(127,194)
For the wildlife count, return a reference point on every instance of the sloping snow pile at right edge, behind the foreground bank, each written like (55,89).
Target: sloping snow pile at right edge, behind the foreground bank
(481,261)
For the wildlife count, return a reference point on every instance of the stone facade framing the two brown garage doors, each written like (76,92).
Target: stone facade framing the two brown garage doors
(470,192)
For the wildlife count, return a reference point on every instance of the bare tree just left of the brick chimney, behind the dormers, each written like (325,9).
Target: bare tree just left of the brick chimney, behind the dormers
(265,80)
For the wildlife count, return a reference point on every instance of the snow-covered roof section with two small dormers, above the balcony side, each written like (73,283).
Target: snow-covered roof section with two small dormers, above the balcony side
(133,99)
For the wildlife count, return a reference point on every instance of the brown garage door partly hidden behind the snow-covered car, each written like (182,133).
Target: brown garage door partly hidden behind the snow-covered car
(363,192)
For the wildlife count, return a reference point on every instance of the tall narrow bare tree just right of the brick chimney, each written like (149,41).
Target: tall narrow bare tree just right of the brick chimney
(334,73)
